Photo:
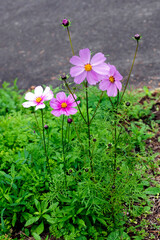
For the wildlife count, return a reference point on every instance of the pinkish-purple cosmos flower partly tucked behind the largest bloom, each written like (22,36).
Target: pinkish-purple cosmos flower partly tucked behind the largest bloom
(111,82)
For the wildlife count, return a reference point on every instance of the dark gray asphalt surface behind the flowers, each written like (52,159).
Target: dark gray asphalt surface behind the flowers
(35,48)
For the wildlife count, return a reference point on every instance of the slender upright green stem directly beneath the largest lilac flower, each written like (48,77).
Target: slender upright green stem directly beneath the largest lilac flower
(88,125)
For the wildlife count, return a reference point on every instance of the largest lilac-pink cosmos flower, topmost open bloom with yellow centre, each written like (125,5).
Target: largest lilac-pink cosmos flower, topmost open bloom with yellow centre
(88,68)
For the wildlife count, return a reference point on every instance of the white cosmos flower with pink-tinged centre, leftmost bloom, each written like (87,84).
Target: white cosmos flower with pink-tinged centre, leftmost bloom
(38,97)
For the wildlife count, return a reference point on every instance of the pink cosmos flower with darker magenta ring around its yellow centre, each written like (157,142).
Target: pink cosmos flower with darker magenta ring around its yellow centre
(63,104)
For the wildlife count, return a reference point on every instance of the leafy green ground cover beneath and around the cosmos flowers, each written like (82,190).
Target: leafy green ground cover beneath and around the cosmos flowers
(40,199)
